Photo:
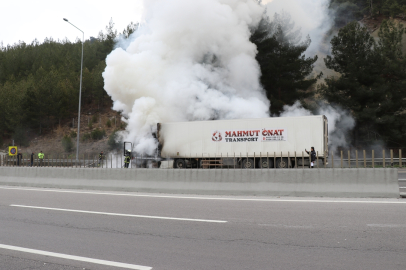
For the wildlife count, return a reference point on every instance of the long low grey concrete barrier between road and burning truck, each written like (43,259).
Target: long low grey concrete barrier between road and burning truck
(378,183)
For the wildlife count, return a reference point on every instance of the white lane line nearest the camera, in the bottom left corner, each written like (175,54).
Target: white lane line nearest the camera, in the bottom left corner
(75,258)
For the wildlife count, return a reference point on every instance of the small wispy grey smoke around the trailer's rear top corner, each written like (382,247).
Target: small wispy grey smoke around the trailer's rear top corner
(340,122)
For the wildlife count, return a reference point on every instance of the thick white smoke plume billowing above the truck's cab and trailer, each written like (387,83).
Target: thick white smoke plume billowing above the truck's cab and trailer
(189,60)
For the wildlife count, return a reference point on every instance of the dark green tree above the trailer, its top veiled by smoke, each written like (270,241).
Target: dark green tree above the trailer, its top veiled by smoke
(284,67)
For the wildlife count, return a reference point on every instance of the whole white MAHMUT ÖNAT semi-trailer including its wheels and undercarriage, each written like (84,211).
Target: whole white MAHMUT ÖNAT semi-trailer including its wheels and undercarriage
(277,142)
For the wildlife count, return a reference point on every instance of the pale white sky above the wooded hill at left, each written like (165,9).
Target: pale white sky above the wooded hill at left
(25,20)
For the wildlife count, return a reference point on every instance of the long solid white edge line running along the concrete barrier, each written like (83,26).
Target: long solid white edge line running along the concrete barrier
(208,198)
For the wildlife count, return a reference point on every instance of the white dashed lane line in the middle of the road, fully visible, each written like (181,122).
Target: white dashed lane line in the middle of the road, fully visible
(117,214)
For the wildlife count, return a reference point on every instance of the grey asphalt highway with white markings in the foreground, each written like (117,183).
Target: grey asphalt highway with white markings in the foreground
(68,229)
